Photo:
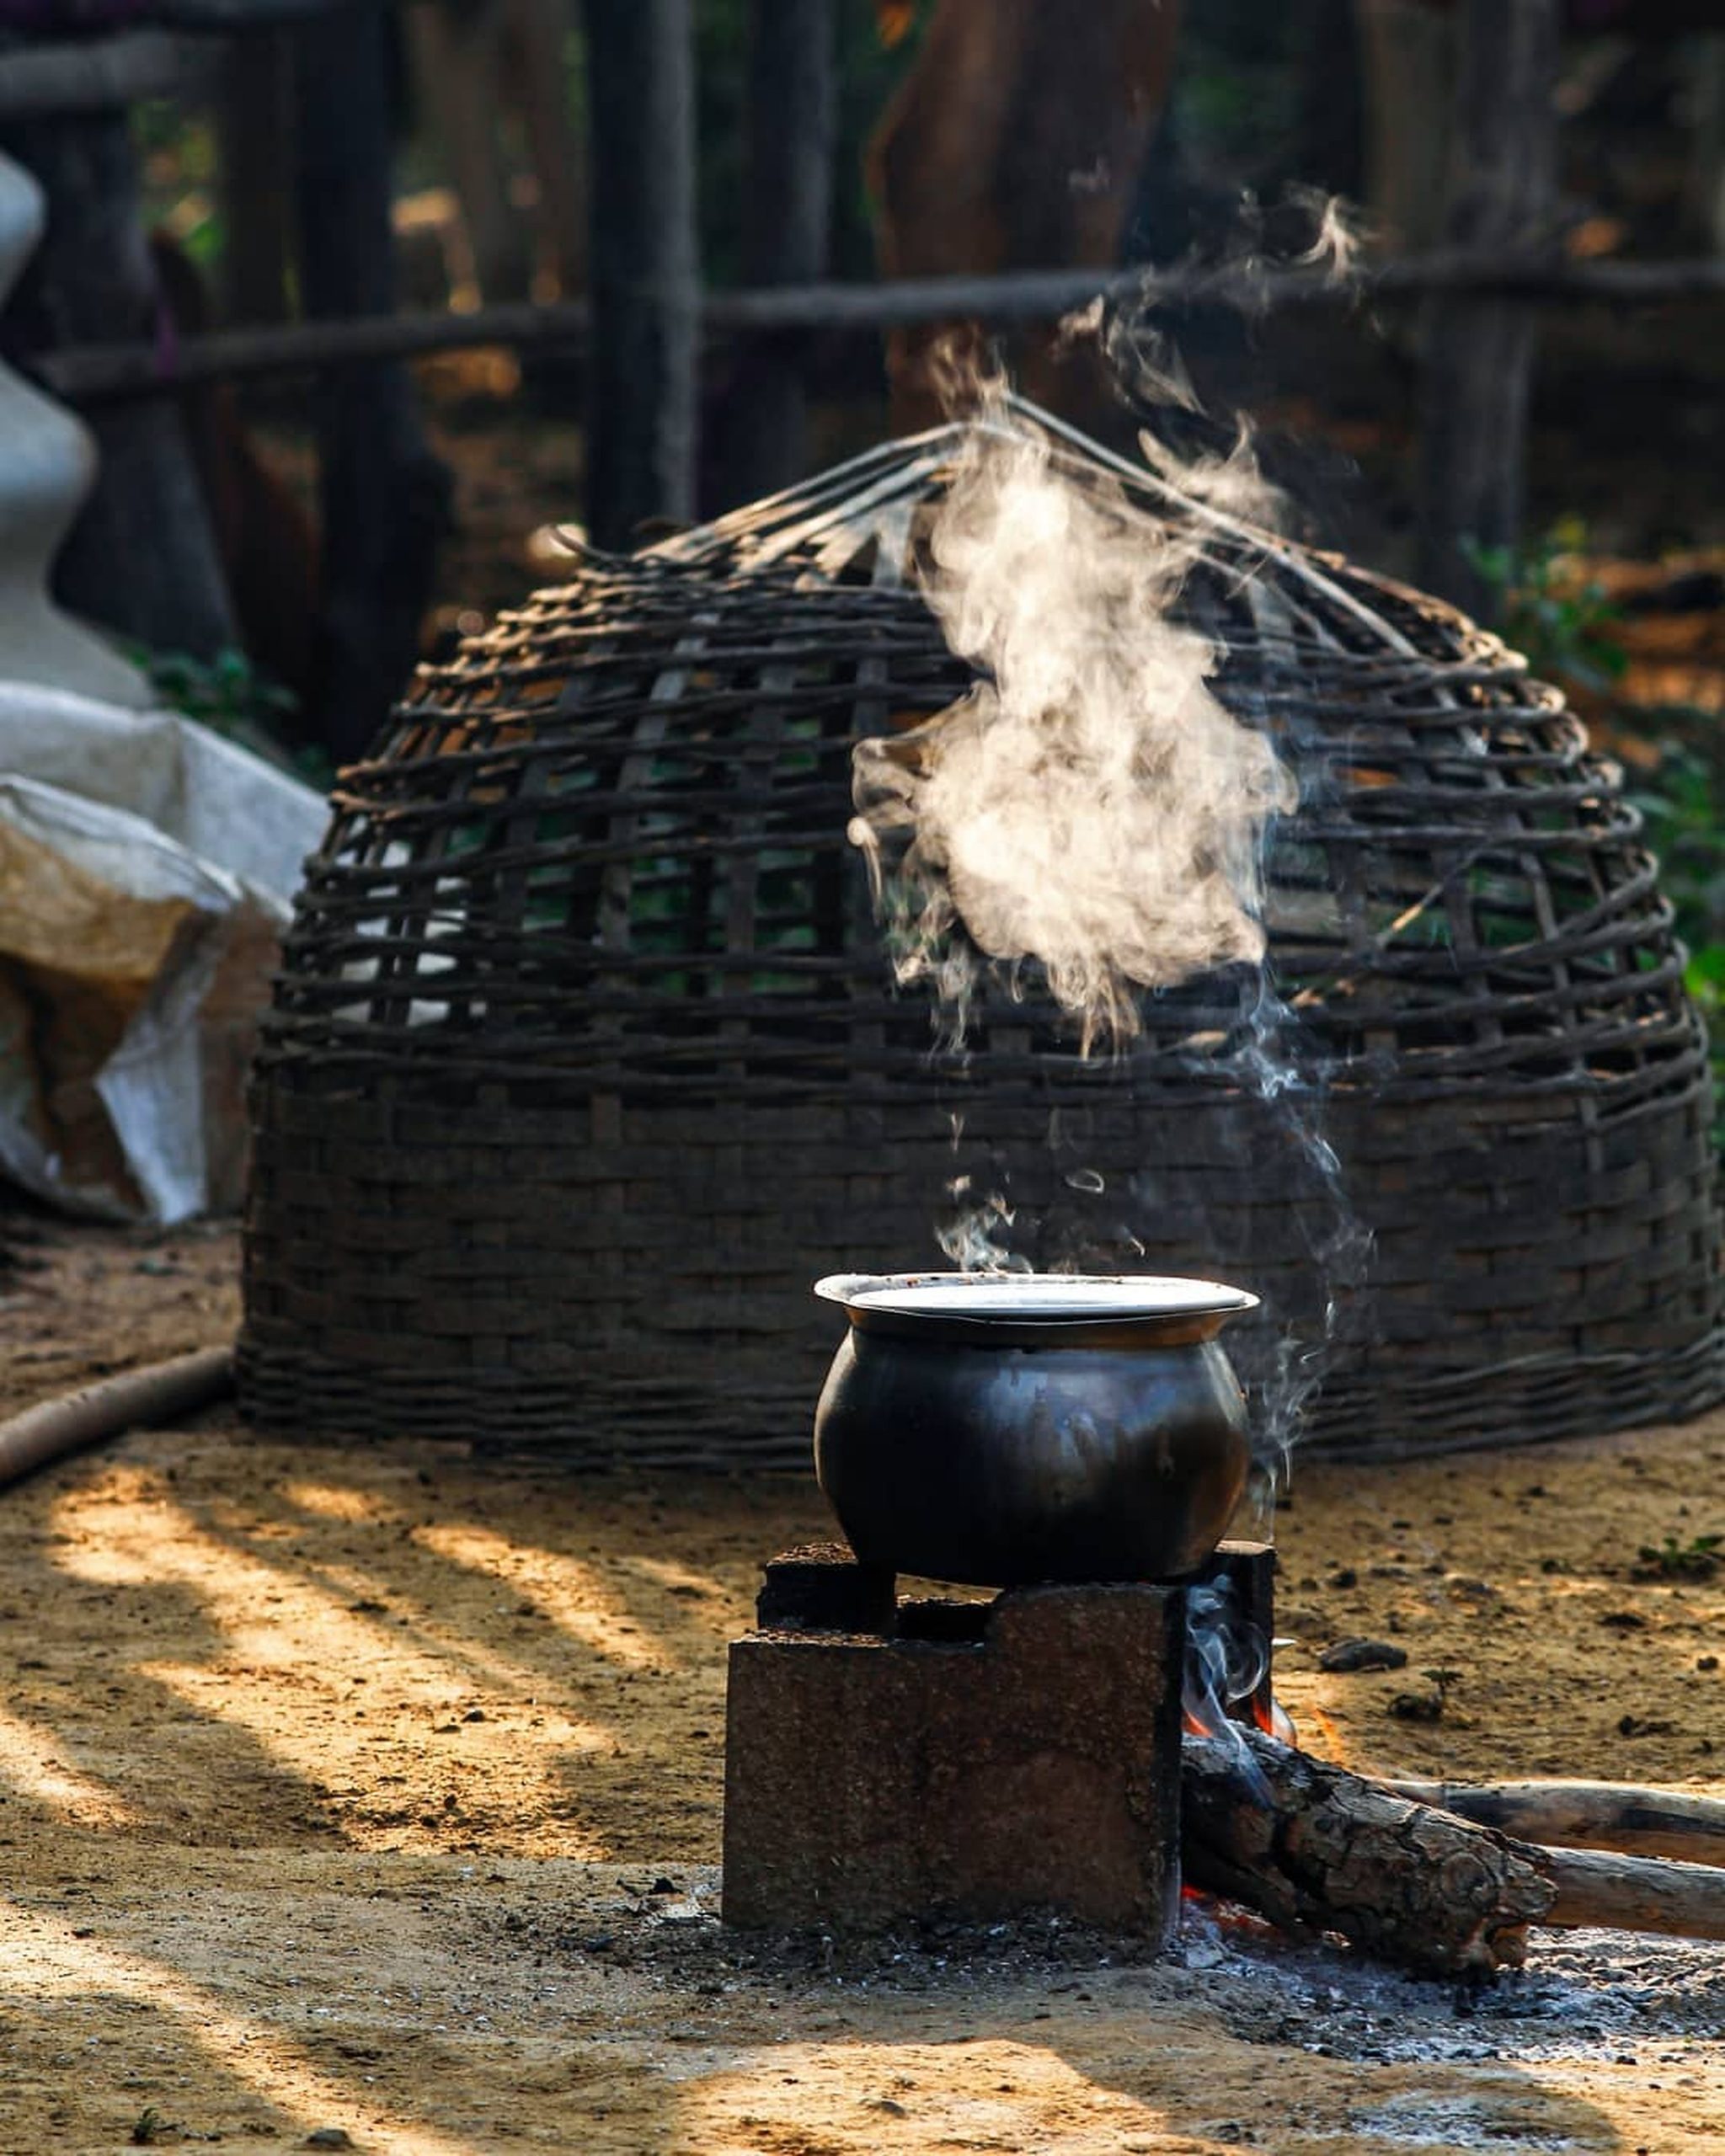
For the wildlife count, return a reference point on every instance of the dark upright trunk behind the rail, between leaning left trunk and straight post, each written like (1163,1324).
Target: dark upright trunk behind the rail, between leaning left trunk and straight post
(385,497)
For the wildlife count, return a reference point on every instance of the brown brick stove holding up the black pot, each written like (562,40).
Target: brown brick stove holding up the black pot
(896,1756)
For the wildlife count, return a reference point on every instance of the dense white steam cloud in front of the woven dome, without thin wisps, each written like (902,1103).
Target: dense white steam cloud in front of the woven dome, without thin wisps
(1088,807)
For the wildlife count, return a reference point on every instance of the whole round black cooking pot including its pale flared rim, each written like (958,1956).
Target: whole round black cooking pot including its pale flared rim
(1017,1428)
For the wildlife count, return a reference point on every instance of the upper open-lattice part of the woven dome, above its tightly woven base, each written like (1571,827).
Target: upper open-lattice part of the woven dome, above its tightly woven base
(607,846)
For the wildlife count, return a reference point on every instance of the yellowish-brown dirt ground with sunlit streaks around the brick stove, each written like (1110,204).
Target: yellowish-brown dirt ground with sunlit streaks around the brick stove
(376,1795)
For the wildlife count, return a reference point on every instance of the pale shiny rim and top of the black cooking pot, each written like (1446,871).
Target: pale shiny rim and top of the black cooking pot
(1047,1310)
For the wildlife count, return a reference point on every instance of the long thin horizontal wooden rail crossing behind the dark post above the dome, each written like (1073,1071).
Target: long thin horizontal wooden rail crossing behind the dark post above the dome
(92,374)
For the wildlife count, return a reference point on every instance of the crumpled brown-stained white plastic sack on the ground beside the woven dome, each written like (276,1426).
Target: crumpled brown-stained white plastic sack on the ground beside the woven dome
(146,876)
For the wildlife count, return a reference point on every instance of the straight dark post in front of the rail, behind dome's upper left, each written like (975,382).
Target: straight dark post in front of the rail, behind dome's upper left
(644,268)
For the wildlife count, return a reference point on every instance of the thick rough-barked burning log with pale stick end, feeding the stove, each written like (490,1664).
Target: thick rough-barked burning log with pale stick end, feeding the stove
(1316,1849)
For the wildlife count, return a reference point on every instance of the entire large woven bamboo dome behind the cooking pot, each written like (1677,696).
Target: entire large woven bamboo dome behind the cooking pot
(585,1058)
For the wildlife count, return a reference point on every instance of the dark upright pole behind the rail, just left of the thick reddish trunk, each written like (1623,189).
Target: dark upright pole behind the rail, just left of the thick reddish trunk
(792,118)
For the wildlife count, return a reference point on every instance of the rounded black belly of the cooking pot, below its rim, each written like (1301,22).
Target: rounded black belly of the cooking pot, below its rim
(1015,1465)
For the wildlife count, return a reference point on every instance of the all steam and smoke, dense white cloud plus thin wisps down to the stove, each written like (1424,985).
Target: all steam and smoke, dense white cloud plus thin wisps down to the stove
(1094,814)
